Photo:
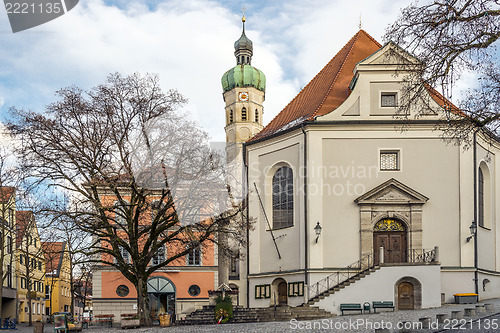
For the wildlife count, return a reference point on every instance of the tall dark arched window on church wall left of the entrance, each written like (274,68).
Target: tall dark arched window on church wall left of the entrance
(283,198)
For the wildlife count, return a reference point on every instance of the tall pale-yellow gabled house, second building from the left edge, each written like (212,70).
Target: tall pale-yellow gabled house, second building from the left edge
(30,268)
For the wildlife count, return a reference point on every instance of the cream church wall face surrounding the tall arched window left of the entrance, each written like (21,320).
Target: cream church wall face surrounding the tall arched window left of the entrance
(265,161)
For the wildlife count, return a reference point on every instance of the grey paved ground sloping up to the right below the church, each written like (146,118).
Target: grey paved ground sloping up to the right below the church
(348,323)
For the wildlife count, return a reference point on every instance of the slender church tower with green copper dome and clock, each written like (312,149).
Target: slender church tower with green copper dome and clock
(244,92)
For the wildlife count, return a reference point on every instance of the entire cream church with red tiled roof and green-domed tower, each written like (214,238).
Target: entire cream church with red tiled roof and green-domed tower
(346,205)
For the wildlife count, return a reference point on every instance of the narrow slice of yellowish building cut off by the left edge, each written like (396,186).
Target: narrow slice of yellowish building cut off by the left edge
(7,229)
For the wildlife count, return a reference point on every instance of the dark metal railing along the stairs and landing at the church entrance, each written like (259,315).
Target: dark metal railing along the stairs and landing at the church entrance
(367,262)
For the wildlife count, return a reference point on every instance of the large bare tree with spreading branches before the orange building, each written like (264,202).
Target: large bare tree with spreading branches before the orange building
(139,176)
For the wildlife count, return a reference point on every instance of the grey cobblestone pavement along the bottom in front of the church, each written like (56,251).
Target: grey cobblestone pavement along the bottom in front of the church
(489,322)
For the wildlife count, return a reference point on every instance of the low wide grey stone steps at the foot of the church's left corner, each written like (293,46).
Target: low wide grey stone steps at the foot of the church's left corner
(249,315)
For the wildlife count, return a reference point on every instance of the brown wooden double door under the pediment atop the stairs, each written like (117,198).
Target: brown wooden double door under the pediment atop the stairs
(394,244)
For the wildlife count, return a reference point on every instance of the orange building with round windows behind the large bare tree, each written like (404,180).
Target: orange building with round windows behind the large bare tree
(179,288)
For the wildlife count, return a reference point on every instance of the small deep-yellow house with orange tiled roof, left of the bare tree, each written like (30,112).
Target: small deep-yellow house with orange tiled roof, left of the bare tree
(57,277)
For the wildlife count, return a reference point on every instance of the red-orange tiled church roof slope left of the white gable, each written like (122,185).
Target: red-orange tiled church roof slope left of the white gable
(327,90)
